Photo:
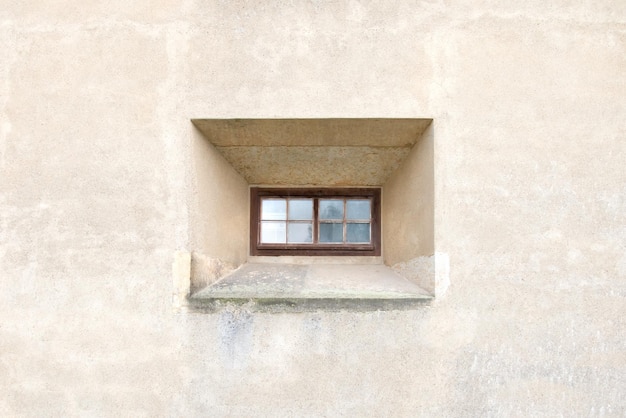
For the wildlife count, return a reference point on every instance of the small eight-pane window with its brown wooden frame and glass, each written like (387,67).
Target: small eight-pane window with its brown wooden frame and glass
(315,221)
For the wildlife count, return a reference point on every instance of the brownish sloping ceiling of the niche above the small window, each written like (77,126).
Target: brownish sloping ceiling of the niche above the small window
(314,152)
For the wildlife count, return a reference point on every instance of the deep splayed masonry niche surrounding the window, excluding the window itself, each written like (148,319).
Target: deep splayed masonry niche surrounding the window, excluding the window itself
(231,156)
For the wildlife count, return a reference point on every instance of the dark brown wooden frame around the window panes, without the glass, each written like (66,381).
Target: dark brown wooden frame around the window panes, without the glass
(314,249)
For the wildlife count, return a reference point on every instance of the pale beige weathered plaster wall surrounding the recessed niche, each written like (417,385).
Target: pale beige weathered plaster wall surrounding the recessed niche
(96,196)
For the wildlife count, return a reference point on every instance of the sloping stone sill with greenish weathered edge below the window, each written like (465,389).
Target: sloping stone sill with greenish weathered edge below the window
(298,287)
